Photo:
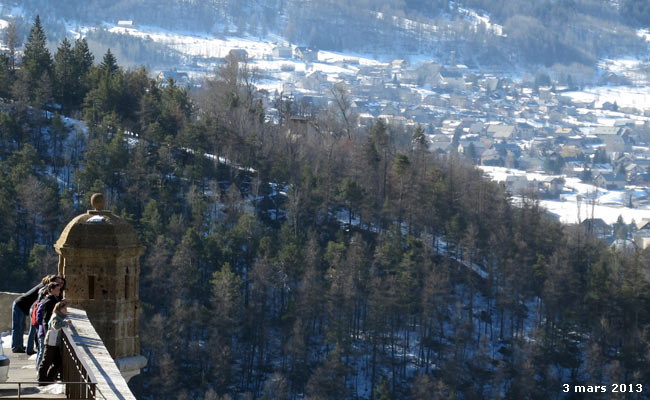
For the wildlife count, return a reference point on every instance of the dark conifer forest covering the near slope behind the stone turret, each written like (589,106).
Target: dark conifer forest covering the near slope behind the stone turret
(305,258)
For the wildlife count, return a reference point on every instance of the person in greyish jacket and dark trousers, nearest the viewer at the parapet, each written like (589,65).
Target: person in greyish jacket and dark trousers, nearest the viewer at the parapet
(51,364)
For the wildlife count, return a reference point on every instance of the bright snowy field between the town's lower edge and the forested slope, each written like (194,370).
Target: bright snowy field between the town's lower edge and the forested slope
(608,205)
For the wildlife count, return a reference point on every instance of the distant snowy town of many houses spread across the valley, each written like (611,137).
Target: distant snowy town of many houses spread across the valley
(536,126)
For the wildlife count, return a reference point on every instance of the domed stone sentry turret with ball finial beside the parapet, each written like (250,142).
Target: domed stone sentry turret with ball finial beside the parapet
(99,255)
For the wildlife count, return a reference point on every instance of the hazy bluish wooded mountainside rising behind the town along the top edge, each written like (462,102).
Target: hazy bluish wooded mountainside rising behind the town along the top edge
(474,32)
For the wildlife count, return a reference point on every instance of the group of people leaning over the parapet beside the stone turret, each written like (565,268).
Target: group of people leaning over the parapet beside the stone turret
(46,309)
